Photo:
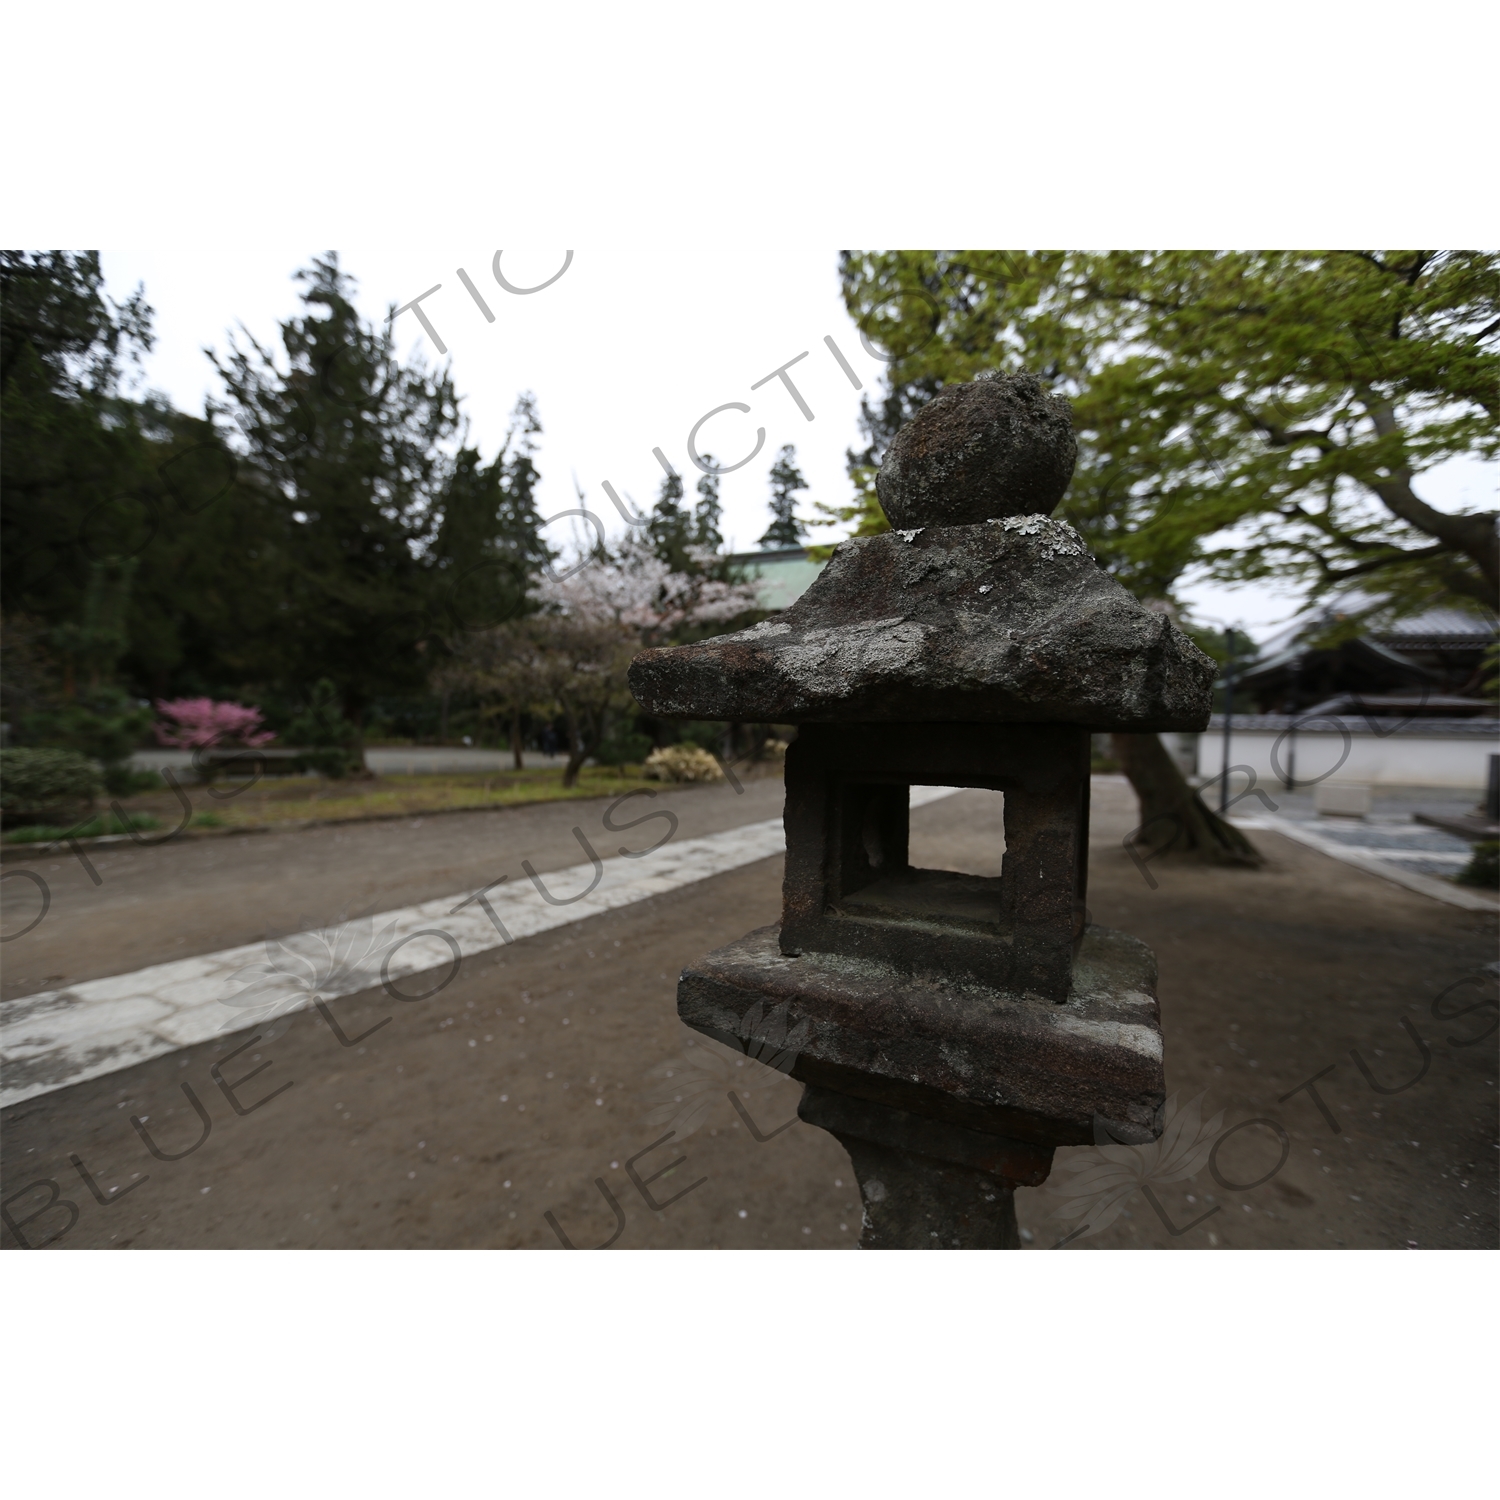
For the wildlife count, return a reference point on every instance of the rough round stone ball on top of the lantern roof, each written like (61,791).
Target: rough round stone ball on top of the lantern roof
(997,446)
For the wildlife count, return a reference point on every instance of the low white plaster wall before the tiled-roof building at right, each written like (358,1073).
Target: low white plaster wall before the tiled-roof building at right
(1402,760)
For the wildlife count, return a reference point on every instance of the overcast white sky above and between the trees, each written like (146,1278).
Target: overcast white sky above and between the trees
(626,352)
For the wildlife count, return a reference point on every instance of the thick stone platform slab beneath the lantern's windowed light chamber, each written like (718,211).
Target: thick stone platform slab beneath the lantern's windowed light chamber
(947,1069)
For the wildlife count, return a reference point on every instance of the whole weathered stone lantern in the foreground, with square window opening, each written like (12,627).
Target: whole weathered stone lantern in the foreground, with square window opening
(959,1028)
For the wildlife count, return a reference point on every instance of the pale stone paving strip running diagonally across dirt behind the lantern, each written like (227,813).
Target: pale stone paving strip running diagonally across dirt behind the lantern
(55,1039)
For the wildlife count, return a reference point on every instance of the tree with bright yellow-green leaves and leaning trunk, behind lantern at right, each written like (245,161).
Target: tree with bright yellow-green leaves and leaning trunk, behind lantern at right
(1243,415)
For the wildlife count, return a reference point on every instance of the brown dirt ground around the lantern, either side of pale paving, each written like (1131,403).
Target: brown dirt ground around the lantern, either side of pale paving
(524,1090)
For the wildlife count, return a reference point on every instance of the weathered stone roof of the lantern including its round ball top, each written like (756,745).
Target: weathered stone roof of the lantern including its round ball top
(980,611)
